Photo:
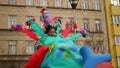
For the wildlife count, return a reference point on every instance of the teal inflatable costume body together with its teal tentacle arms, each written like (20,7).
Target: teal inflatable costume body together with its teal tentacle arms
(63,53)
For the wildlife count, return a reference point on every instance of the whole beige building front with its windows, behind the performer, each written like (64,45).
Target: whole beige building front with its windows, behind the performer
(16,47)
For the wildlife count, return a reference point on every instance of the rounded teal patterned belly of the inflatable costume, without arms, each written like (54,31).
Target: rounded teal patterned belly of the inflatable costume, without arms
(64,54)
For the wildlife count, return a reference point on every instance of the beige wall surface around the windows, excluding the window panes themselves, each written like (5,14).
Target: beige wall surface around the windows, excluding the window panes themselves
(21,11)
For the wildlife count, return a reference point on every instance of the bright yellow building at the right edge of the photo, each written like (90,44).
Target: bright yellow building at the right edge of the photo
(113,22)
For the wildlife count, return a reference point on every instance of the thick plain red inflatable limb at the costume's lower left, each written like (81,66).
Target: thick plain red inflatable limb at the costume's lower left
(37,58)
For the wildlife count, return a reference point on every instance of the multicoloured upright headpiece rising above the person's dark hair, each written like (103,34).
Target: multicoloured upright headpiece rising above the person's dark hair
(48,21)
